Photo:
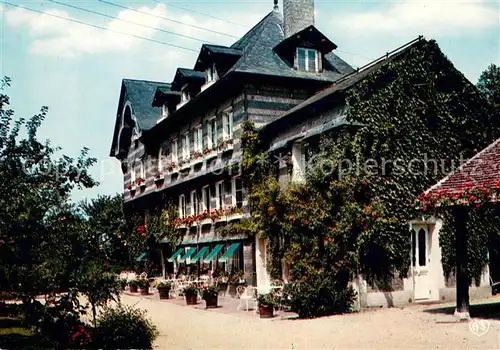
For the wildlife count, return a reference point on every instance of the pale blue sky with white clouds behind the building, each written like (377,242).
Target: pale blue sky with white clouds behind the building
(77,70)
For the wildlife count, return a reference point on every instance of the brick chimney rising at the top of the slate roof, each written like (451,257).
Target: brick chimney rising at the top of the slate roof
(297,15)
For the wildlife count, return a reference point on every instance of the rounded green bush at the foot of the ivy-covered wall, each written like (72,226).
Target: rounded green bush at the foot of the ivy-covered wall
(319,294)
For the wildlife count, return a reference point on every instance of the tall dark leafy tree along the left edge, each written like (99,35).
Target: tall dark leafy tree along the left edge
(39,228)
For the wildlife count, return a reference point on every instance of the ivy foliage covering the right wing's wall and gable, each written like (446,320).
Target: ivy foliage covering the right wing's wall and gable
(420,117)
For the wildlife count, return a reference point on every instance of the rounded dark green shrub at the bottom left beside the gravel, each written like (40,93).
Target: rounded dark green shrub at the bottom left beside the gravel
(124,327)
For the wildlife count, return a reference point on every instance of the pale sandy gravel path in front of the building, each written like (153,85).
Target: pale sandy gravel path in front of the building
(185,327)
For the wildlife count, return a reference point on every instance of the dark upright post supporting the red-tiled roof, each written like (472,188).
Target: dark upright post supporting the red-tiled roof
(460,214)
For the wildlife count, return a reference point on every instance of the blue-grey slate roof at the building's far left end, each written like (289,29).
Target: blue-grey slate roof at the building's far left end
(140,93)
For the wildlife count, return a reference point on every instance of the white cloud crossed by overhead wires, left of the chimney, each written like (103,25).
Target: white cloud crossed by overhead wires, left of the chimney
(57,37)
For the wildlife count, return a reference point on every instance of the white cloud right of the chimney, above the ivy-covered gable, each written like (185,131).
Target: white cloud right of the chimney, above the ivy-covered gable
(430,18)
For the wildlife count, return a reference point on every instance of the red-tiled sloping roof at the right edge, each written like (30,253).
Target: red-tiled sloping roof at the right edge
(481,170)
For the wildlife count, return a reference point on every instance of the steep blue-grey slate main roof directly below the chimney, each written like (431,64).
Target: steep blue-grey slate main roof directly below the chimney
(258,56)
